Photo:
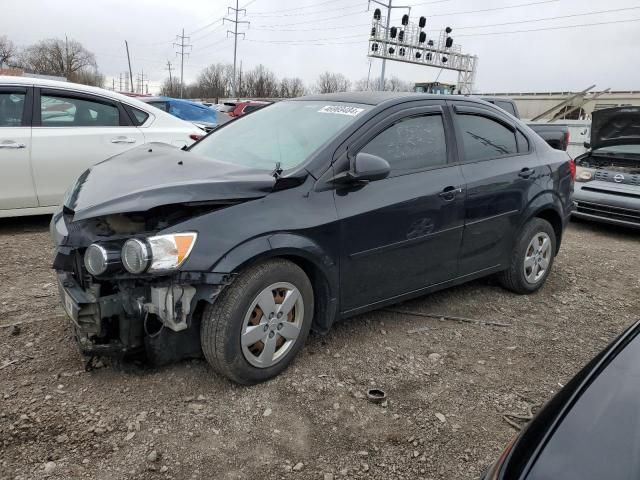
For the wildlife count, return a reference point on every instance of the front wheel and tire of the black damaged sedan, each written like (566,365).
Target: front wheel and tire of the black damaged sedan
(258,324)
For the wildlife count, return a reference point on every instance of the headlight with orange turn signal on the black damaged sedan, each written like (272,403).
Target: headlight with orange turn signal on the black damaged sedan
(158,253)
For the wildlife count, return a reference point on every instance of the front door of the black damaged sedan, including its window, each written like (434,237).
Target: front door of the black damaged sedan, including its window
(402,233)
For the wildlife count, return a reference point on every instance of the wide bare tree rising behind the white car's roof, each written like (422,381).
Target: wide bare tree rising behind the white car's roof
(67,58)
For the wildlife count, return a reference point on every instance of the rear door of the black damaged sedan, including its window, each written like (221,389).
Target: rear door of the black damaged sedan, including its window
(502,175)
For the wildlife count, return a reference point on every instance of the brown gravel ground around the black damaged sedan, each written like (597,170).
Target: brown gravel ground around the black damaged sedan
(448,383)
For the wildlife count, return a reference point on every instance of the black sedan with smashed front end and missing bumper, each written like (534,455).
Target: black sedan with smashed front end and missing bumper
(302,213)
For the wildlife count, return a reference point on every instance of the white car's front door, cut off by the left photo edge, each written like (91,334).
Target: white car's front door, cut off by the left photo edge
(16,184)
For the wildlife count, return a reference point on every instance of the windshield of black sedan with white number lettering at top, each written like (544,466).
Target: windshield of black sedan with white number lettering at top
(285,132)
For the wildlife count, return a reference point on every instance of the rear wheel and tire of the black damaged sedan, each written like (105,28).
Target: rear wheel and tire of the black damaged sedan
(531,259)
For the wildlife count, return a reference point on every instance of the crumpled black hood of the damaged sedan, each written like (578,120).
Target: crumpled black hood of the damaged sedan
(158,174)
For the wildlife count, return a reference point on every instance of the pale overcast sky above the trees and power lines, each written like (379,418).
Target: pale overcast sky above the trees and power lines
(305,37)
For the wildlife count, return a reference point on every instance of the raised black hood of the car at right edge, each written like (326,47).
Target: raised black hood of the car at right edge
(615,126)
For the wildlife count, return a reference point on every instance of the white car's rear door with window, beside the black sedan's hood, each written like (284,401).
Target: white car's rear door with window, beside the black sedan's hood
(71,132)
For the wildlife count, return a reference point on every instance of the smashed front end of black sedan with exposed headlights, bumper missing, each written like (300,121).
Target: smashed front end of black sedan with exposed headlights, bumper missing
(120,282)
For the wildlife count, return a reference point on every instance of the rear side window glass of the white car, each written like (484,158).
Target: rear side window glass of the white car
(61,111)
